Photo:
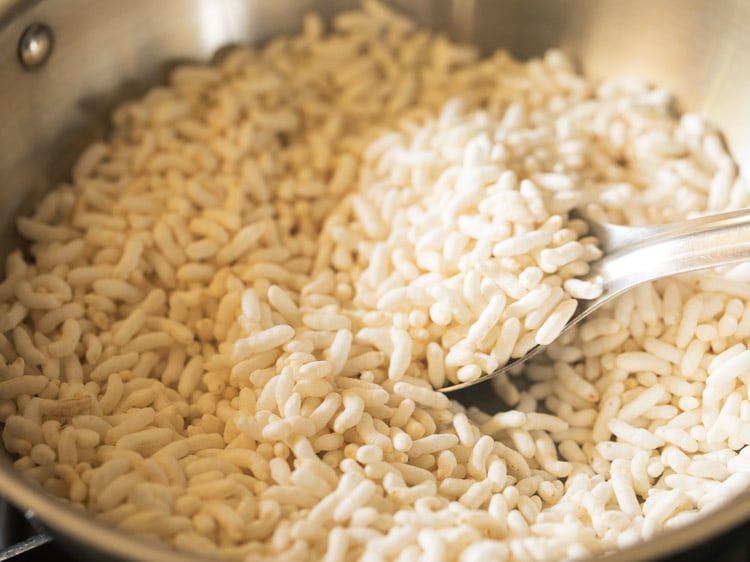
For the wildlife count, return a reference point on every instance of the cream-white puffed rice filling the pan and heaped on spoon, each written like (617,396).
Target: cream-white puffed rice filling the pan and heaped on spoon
(238,312)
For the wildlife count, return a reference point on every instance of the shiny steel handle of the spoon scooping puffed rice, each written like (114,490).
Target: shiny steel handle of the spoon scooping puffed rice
(671,249)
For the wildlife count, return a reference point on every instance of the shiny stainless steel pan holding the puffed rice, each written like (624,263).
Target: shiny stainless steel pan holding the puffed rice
(107,50)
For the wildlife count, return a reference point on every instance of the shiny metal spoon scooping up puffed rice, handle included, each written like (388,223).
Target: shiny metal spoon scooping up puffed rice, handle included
(635,255)
